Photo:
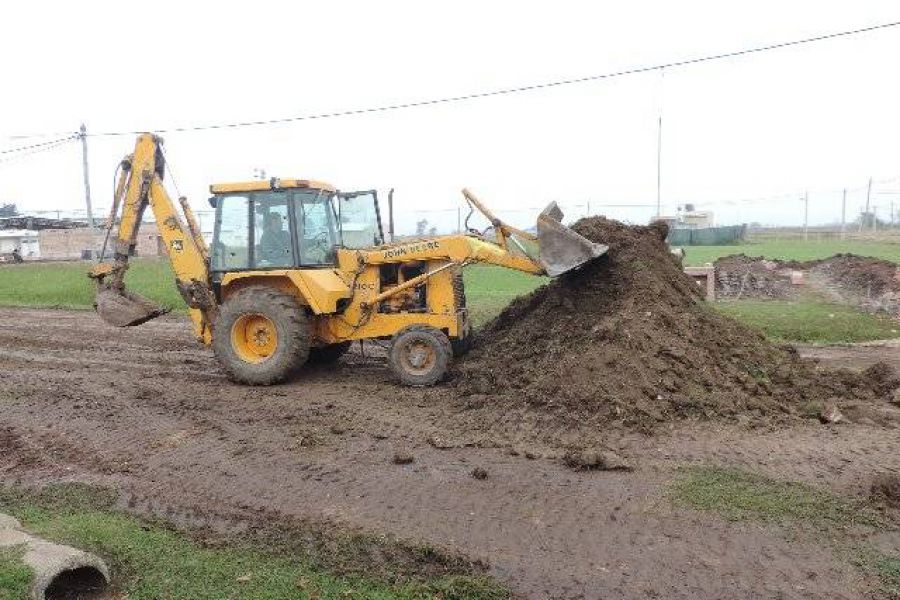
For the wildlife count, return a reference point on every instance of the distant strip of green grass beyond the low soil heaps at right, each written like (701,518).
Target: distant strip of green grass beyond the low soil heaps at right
(794,250)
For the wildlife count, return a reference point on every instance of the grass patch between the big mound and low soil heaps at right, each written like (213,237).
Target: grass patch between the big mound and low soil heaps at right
(810,321)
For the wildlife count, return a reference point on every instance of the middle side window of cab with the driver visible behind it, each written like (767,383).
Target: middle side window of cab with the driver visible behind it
(272,246)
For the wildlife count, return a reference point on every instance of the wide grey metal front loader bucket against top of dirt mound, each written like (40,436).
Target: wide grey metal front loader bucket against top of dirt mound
(561,249)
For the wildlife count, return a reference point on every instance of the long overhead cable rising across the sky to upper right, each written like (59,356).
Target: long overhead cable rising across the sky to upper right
(518,89)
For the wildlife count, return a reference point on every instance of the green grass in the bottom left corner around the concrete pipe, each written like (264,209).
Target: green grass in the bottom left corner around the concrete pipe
(150,561)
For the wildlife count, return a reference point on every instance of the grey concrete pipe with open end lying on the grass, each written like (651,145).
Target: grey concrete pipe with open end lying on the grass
(59,571)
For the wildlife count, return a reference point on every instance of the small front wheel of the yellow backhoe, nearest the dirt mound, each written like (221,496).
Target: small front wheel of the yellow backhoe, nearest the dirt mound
(420,355)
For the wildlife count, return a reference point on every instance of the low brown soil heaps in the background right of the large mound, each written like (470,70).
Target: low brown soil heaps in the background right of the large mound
(872,284)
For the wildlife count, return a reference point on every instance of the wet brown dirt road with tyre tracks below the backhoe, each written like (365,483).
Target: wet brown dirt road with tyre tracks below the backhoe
(148,411)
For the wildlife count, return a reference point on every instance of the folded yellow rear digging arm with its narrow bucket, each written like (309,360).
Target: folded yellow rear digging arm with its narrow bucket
(140,185)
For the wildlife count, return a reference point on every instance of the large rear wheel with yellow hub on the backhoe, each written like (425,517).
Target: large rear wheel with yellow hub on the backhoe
(261,336)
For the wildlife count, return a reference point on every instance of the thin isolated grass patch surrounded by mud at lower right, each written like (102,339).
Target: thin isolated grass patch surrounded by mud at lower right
(739,495)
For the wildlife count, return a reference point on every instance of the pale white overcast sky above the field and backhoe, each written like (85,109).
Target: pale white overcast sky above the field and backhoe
(819,117)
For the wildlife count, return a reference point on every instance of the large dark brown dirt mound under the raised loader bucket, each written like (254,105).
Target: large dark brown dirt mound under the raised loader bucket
(628,339)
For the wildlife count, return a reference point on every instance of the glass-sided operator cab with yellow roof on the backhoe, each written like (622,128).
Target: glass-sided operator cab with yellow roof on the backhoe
(287,224)
